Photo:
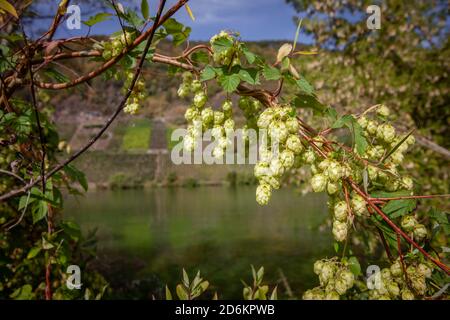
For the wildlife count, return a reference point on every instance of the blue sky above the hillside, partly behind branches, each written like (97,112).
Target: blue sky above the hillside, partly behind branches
(254,19)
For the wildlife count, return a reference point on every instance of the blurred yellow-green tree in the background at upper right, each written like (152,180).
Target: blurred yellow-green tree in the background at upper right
(399,65)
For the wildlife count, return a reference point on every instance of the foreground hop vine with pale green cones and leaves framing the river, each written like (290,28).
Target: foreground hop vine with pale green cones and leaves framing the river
(365,177)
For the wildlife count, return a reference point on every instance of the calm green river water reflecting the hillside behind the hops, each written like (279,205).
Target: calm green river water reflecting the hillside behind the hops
(219,230)
